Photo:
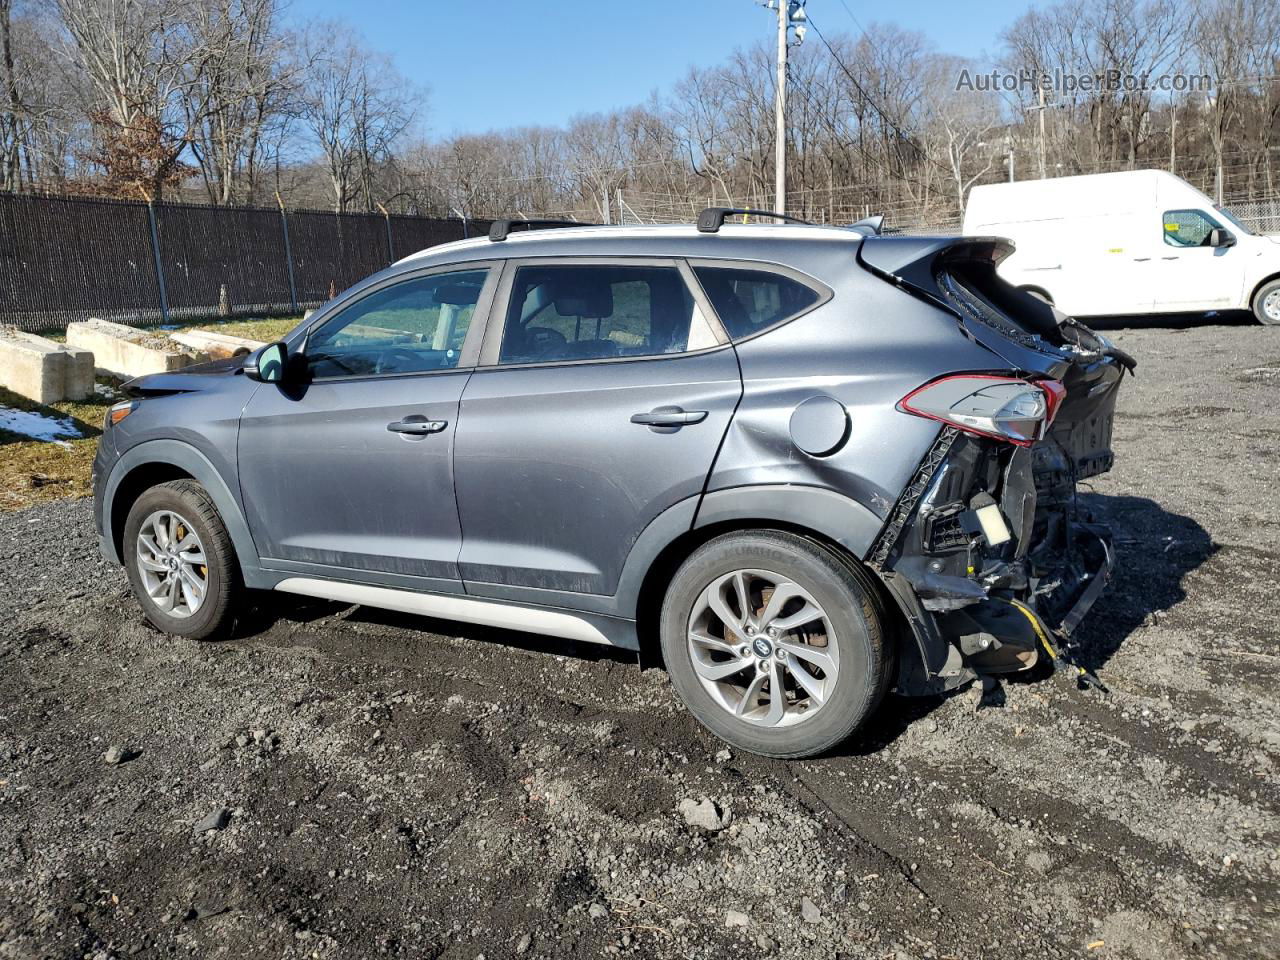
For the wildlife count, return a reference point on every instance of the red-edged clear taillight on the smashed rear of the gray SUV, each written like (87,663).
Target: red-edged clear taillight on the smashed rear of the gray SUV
(1005,408)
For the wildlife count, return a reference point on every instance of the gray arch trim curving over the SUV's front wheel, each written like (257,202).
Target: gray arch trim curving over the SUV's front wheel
(195,464)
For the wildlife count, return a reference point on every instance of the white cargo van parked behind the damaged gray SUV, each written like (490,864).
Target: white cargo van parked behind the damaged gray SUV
(1136,243)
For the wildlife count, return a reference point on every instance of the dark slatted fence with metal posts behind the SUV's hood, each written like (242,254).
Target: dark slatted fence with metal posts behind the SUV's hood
(68,259)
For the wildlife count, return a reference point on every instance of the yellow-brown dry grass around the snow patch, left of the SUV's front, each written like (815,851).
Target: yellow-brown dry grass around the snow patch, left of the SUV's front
(36,472)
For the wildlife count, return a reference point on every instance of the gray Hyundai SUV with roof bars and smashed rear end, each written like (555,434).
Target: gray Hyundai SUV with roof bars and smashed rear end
(806,465)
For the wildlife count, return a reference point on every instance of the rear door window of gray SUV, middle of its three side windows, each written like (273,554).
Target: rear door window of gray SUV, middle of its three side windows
(600,313)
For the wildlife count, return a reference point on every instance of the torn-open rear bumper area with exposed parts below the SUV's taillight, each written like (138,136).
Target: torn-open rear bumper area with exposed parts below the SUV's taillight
(991,556)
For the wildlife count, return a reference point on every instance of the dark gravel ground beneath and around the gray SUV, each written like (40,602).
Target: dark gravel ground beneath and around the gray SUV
(344,783)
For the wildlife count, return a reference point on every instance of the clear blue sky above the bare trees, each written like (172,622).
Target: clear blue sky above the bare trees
(505,63)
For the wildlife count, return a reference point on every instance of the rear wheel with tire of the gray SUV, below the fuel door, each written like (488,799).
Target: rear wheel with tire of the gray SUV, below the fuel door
(774,643)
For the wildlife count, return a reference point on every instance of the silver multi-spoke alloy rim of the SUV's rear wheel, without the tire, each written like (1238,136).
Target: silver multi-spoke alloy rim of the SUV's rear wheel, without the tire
(764,648)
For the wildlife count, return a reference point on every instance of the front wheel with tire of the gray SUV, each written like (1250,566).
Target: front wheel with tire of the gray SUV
(180,561)
